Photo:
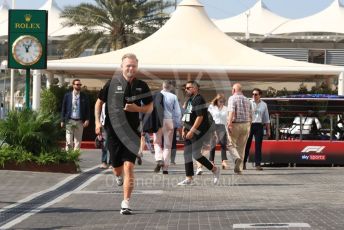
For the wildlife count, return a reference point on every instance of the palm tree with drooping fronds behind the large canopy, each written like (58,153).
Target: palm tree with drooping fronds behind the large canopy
(112,24)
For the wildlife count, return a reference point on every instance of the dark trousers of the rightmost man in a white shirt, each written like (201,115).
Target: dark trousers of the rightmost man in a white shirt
(257,130)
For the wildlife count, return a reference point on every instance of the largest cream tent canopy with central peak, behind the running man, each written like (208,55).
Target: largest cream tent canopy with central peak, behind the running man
(189,45)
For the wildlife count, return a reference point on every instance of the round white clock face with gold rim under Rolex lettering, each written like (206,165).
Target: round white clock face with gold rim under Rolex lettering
(27,50)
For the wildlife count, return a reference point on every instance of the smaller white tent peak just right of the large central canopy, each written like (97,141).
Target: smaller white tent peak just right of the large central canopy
(256,20)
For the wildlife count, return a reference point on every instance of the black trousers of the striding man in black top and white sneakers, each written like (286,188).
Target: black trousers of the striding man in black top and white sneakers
(192,148)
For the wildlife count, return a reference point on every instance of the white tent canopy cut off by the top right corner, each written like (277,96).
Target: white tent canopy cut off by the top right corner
(328,20)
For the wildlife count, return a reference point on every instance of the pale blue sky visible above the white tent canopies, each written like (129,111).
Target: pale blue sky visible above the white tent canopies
(217,8)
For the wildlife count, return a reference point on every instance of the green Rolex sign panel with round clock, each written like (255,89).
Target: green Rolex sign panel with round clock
(27,39)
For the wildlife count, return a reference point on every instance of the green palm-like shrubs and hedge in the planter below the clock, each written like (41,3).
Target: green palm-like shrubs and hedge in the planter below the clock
(33,136)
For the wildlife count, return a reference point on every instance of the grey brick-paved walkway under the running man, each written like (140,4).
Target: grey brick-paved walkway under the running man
(308,197)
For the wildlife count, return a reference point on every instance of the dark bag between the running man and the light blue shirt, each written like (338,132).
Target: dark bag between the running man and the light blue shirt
(151,122)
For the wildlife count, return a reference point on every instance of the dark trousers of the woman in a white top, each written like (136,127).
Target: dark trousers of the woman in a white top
(221,138)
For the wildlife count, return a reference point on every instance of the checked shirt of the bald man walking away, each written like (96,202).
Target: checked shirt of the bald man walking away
(241,107)
